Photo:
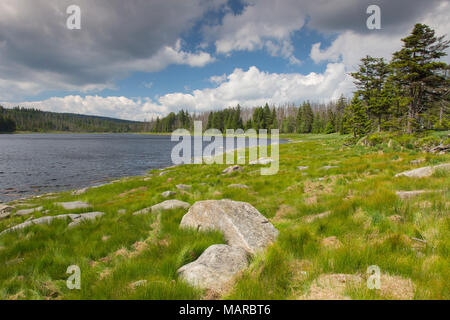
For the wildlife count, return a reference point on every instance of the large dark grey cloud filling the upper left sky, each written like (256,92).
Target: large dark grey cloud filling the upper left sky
(38,52)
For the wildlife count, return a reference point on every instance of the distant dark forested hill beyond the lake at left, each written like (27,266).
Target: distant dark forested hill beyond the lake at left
(41,121)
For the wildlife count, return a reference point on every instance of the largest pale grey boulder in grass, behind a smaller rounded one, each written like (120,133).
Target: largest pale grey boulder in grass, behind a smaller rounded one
(242,224)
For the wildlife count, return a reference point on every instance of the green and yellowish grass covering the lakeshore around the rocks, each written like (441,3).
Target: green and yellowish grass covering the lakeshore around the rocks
(119,249)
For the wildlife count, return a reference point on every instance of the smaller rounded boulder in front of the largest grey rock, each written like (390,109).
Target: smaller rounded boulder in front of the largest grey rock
(216,266)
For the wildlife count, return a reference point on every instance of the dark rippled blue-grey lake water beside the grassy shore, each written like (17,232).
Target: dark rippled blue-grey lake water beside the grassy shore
(32,164)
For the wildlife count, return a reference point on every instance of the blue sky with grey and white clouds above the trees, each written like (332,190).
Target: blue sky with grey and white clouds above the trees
(139,59)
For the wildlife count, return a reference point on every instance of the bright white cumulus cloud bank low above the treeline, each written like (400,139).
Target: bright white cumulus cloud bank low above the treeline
(248,88)
